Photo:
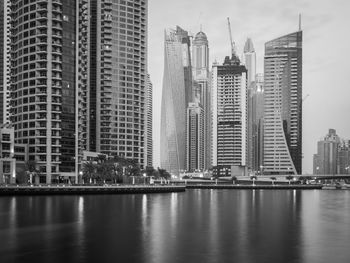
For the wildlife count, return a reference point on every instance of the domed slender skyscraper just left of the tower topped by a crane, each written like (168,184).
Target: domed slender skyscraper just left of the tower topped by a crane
(200,69)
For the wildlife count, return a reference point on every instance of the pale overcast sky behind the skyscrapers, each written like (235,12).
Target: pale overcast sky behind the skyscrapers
(326,56)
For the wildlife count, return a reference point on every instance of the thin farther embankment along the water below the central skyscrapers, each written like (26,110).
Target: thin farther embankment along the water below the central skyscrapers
(246,186)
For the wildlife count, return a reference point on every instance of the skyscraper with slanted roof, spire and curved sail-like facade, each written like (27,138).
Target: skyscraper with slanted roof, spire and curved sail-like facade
(283,105)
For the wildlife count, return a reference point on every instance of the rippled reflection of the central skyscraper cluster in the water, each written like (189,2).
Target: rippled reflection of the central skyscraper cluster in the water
(219,226)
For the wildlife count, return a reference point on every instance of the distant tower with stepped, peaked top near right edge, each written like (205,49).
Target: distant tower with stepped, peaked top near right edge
(325,161)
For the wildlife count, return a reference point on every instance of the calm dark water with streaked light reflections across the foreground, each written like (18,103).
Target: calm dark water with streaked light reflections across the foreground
(195,226)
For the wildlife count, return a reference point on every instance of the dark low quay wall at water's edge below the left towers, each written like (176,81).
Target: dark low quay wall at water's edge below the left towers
(77,190)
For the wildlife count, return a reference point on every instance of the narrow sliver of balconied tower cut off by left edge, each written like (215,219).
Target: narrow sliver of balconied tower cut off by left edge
(5,46)
